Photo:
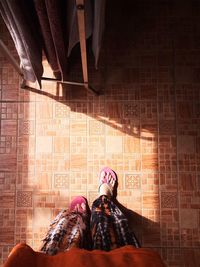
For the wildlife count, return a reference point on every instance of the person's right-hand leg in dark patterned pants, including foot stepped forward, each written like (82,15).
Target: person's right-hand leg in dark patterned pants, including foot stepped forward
(109,226)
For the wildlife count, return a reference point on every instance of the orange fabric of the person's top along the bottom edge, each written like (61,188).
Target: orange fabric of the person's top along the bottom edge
(24,256)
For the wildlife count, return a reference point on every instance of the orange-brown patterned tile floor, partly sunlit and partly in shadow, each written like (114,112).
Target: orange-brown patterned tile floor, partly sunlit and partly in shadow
(145,125)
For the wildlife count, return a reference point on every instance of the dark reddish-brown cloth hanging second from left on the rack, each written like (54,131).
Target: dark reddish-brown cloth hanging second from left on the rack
(52,18)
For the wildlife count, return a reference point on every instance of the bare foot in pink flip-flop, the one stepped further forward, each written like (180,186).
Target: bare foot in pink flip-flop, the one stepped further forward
(107,183)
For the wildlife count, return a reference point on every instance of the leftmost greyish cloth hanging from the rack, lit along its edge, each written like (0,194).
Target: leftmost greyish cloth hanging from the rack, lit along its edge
(21,21)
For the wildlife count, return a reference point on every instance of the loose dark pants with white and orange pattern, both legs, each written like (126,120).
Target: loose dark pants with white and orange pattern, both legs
(107,229)
